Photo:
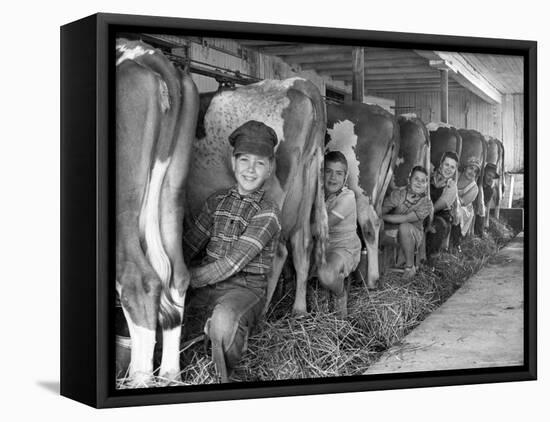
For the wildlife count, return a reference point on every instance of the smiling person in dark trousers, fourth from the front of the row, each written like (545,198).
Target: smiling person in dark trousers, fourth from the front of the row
(444,194)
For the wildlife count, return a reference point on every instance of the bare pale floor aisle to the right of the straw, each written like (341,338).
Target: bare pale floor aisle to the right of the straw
(481,325)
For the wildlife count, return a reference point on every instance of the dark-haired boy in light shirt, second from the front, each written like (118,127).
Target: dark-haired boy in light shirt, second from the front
(344,246)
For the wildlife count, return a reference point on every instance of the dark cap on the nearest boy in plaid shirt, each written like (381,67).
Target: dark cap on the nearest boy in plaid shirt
(253,137)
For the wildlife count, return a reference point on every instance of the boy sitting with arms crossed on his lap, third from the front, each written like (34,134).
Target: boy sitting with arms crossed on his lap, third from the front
(406,208)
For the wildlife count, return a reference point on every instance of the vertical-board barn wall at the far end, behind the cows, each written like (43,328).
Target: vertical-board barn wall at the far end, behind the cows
(466,110)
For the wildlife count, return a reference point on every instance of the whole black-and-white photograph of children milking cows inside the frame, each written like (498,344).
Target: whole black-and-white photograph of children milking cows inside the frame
(289,210)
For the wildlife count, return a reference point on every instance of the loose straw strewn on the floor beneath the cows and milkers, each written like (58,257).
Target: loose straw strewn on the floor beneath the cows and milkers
(322,345)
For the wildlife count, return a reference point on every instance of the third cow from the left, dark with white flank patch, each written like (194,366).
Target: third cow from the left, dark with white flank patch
(368,136)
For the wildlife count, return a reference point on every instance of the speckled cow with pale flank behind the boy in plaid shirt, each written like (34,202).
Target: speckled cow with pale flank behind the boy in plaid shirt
(295,110)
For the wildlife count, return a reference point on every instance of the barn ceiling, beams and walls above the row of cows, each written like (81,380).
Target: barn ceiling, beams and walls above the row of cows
(484,92)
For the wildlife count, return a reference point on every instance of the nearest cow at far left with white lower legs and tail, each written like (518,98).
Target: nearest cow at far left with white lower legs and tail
(156,113)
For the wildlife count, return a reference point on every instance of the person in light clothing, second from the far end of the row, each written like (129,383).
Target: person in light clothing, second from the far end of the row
(467,193)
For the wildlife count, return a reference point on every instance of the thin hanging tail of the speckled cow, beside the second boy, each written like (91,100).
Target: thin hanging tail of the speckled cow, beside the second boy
(320,226)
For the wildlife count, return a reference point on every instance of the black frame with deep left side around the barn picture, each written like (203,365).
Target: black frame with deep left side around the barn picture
(87,224)
